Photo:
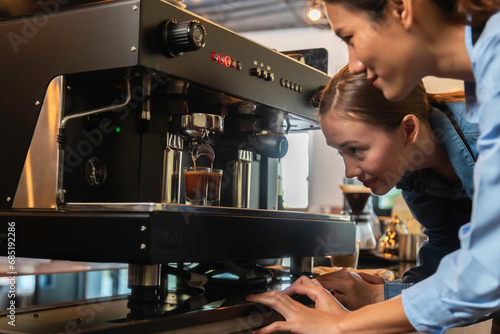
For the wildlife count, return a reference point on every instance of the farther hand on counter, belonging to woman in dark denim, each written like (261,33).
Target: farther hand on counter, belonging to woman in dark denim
(353,290)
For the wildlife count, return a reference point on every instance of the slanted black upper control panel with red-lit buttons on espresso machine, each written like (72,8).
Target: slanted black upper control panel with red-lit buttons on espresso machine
(231,63)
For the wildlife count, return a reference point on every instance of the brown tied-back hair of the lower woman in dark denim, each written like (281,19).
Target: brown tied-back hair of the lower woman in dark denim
(352,96)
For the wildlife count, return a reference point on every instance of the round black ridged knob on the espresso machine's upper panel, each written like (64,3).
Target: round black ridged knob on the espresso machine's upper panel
(183,37)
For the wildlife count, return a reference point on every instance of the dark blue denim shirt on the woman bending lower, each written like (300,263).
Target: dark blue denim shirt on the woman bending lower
(440,205)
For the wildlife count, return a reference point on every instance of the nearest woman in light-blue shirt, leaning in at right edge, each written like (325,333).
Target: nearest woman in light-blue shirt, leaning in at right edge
(396,43)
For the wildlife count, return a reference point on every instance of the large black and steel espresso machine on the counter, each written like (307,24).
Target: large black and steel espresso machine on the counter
(101,106)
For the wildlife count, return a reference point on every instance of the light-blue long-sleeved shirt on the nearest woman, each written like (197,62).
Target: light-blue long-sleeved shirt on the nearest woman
(466,285)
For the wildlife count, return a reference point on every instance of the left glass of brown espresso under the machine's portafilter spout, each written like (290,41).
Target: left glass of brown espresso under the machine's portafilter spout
(196,185)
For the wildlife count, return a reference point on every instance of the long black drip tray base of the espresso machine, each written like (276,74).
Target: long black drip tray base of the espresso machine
(159,233)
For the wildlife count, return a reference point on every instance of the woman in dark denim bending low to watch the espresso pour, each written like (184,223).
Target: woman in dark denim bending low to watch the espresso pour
(440,198)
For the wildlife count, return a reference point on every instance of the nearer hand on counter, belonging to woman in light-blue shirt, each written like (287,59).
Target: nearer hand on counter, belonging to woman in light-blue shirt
(300,318)
